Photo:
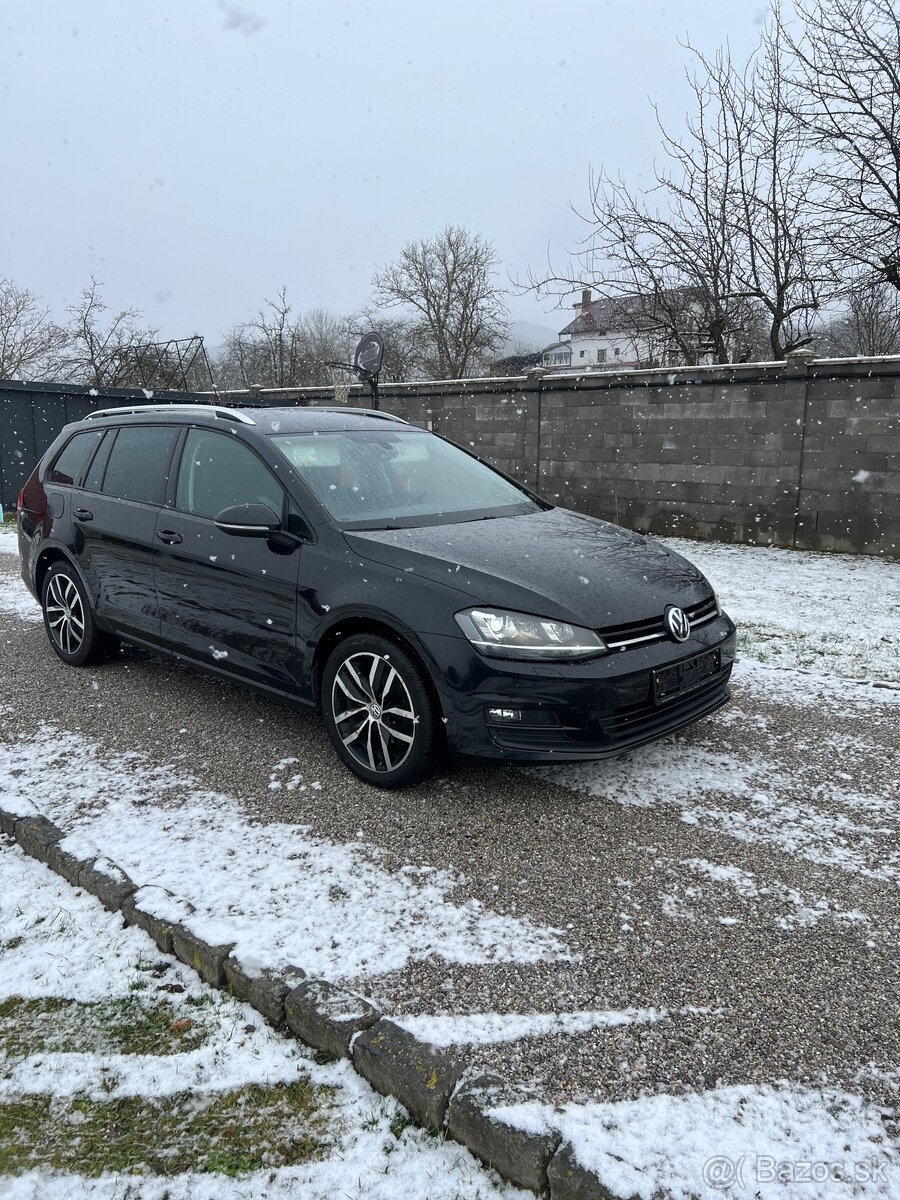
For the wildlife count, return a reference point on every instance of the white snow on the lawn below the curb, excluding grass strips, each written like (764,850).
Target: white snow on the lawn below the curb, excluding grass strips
(70,947)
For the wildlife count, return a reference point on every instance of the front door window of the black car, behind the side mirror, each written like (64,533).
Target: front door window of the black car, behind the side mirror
(218,471)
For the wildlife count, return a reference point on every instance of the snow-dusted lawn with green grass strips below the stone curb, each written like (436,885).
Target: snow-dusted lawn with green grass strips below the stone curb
(251,1112)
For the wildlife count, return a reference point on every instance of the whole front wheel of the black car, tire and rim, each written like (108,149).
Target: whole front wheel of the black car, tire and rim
(380,713)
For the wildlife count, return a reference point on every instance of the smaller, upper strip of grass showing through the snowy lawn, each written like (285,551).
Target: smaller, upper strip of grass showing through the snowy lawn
(134,1024)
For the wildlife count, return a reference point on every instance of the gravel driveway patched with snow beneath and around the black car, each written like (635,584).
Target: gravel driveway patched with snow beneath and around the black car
(616,934)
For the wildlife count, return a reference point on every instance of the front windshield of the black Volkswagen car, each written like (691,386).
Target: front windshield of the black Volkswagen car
(369,479)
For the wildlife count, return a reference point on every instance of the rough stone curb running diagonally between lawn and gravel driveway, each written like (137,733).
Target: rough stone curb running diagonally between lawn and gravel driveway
(434,1087)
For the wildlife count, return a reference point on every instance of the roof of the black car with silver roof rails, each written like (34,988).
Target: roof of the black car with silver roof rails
(265,421)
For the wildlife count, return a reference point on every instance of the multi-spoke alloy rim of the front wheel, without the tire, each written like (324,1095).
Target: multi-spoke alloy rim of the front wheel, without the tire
(374,712)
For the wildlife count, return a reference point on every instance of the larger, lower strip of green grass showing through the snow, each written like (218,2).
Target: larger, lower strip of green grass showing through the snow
(230,1133)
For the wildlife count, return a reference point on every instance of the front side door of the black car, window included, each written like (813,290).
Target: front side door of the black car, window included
(226,601)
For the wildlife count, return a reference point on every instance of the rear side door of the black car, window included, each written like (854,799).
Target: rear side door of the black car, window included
(115,521)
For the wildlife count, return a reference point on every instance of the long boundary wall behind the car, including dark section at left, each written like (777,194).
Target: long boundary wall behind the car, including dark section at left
(802,454)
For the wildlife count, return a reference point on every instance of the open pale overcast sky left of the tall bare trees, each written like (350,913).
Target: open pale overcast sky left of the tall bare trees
(195,155)
